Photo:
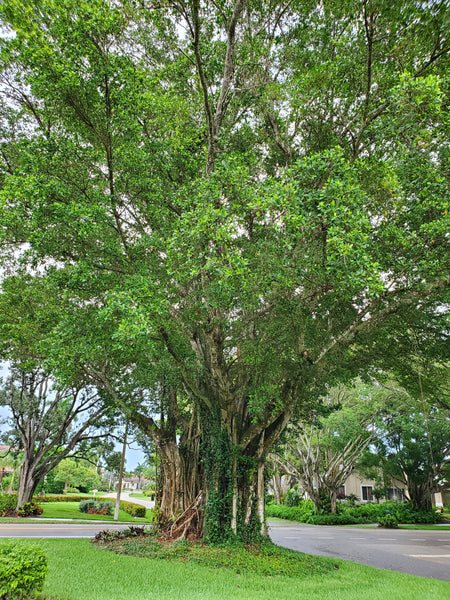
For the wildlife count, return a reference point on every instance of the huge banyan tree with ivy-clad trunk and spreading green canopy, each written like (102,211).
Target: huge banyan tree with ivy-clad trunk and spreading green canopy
(243,200)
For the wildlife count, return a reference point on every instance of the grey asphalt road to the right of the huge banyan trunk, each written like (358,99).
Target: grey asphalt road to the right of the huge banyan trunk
(418,552)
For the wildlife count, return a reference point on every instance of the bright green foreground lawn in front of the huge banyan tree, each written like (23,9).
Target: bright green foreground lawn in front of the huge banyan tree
(79,570)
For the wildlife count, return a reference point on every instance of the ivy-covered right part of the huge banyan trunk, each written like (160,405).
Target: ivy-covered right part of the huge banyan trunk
(234,450)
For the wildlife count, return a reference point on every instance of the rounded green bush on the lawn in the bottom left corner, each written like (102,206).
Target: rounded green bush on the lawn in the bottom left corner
(22,571)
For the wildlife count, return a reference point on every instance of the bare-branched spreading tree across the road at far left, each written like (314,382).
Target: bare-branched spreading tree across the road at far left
(47,423)
